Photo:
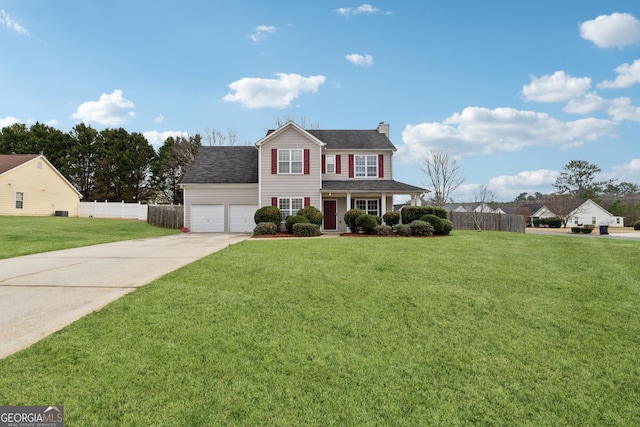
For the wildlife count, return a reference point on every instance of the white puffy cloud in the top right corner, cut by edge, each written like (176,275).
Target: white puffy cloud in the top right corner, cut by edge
(615,30)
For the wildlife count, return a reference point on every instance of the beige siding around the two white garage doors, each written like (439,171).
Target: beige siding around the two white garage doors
(218,194)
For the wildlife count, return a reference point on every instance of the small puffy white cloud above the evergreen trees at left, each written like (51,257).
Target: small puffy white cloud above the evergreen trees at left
(111,109)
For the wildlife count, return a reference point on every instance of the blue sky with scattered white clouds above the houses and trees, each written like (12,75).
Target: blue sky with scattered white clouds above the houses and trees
(514,90)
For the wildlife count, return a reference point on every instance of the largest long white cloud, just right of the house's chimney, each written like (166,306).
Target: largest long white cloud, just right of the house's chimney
(482,131)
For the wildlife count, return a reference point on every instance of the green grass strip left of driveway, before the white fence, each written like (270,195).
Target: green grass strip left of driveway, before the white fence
(30,235)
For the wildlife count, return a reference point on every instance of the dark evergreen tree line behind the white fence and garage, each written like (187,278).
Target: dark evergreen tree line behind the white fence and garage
(112,164)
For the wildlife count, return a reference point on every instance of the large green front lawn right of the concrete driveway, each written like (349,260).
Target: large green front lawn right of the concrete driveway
(474,329)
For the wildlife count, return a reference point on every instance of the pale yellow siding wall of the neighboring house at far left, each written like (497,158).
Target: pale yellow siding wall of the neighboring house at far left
(44,190)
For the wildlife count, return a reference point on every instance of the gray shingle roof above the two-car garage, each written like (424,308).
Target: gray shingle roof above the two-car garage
(224,165)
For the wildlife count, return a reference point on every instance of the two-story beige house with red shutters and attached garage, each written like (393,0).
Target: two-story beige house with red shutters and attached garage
(332,170)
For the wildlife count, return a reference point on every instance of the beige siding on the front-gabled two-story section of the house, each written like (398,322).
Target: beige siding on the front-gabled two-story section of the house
(291,185)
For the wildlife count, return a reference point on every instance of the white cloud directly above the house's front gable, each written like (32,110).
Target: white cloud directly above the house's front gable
(273,93)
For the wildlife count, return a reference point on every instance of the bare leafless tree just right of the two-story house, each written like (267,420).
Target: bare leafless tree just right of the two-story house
(444,173)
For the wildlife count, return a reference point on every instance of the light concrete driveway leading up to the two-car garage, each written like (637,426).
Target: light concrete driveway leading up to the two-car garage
(42,293)
